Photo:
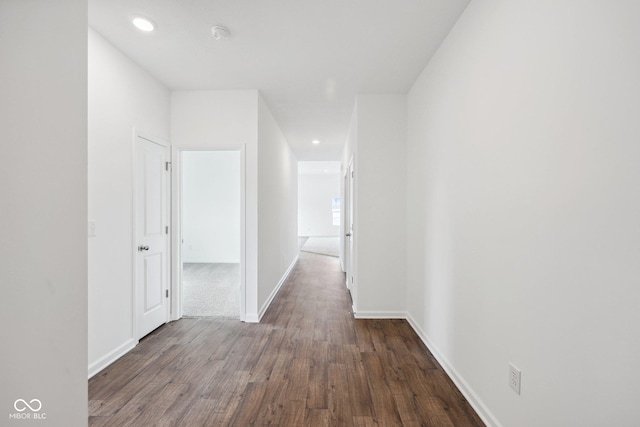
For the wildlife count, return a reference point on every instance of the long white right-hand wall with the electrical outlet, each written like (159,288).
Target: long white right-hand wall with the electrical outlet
(523,209)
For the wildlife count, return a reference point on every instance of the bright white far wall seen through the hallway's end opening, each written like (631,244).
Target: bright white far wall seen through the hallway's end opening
(316,190)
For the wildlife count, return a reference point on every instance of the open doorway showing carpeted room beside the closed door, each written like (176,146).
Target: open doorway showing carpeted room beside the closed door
(211,233)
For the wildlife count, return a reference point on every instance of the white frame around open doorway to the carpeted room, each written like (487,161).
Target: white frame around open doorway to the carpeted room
(176,225)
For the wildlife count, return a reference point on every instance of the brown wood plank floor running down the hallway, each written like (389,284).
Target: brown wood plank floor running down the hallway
(308,363)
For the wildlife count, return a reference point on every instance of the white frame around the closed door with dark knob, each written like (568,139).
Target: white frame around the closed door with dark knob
(134,270)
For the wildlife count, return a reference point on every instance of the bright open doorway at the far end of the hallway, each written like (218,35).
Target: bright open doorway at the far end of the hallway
(319,207)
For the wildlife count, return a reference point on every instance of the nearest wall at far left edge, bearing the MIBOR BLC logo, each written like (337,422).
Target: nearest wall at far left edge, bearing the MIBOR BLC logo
(43,218)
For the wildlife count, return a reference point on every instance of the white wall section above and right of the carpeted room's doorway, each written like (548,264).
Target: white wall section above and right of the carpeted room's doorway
(223,120)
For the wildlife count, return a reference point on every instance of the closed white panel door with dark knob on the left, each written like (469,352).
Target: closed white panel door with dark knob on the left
(152,250)
